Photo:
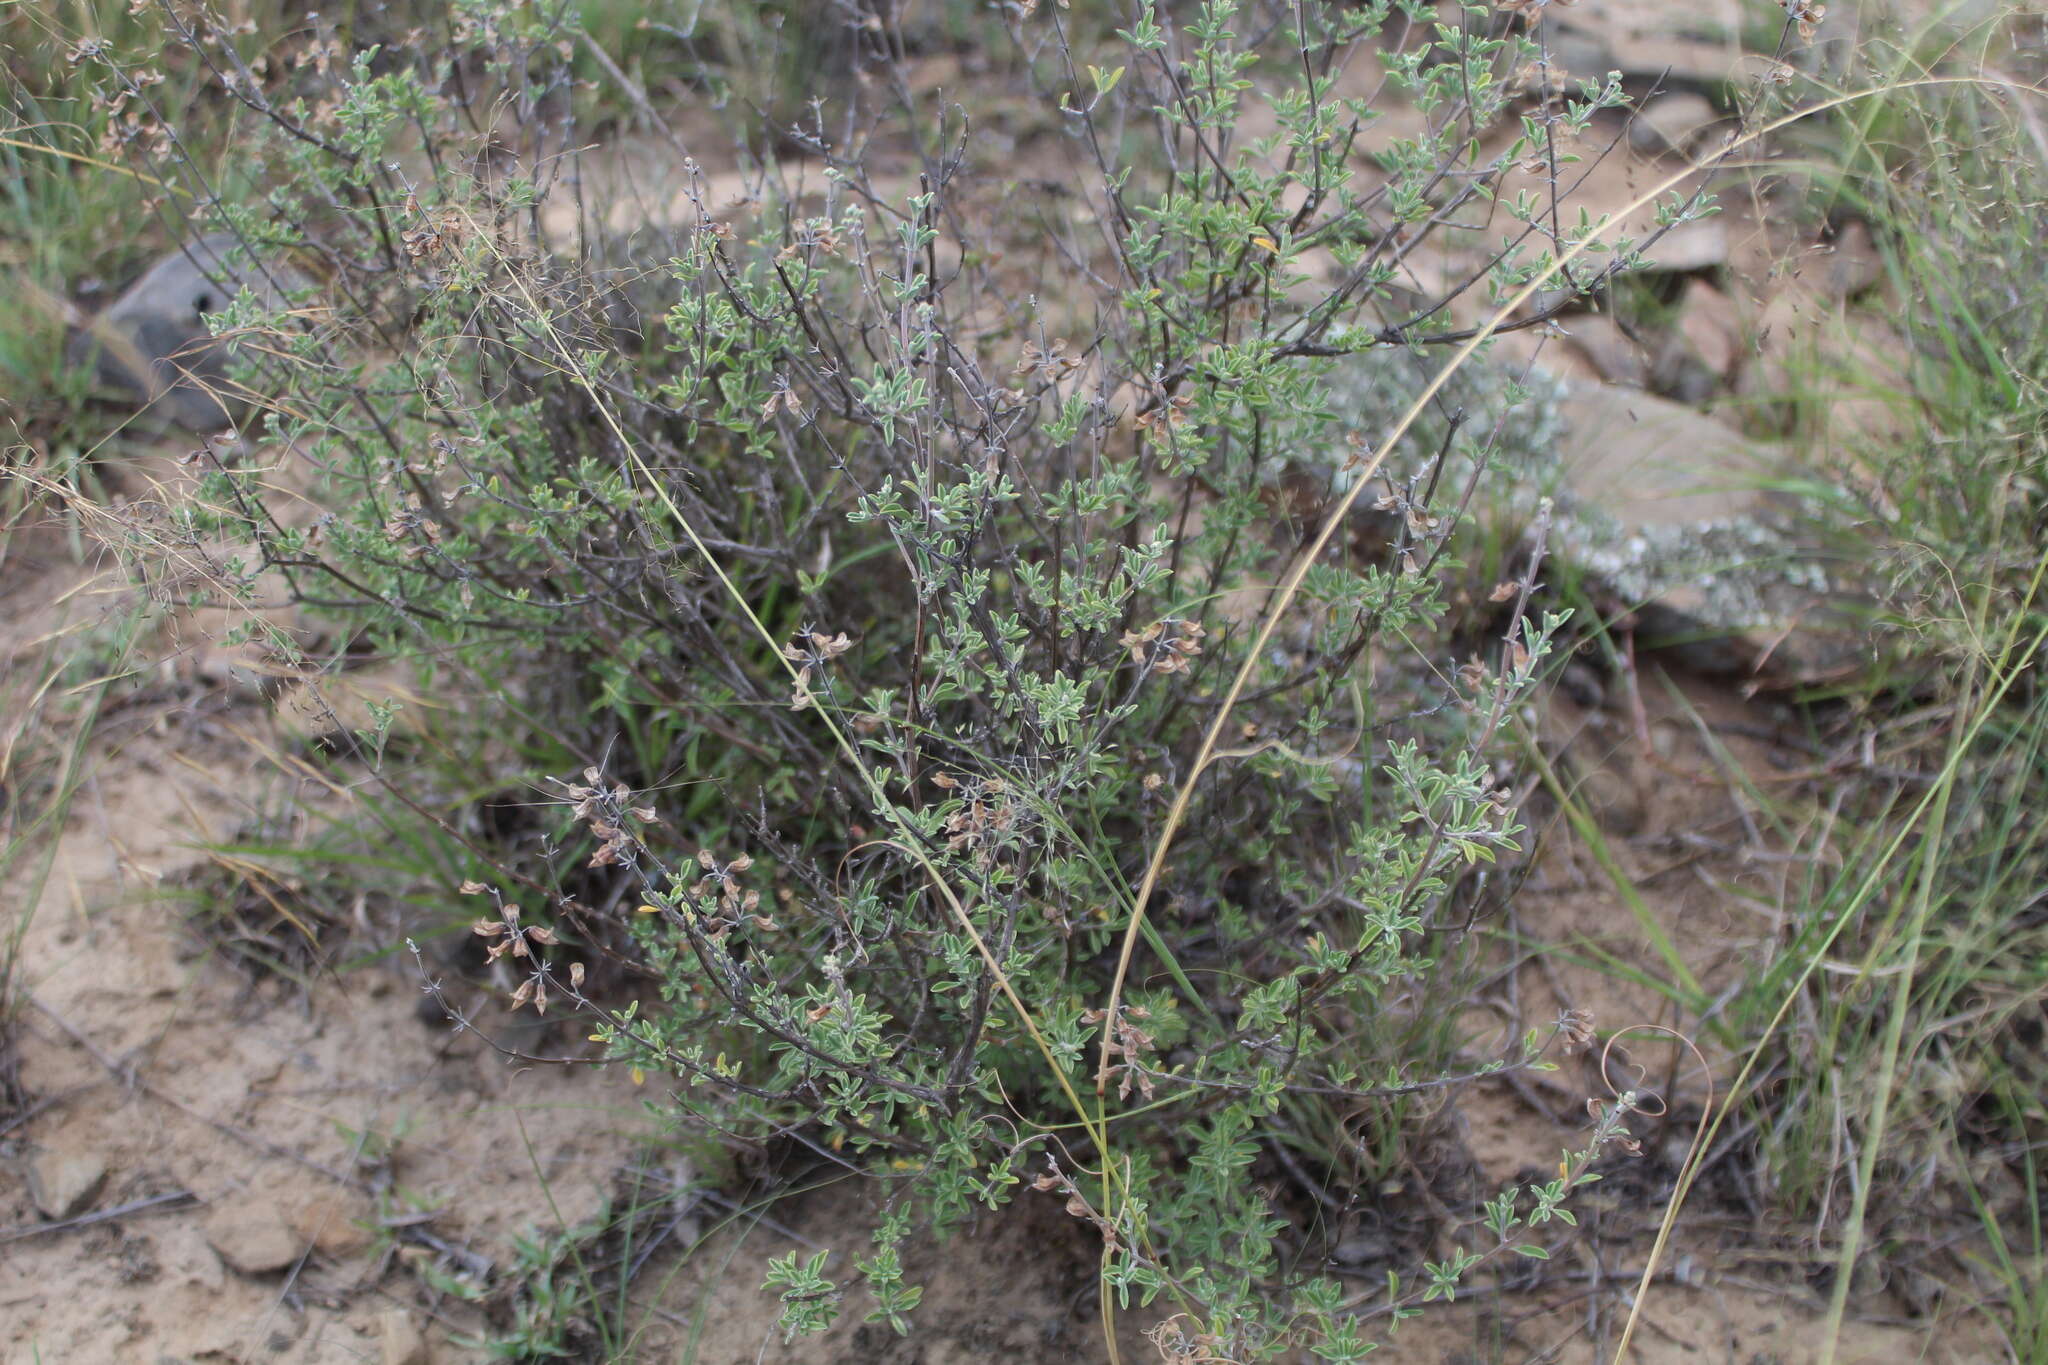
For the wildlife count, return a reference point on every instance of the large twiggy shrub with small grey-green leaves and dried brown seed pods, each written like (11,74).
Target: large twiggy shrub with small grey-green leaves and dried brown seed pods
(992,768)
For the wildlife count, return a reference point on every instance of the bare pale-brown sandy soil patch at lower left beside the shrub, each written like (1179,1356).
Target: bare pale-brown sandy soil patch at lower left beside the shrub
(284,1147)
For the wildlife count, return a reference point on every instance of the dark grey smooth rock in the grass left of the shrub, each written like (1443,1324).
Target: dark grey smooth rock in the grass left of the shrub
(155,343)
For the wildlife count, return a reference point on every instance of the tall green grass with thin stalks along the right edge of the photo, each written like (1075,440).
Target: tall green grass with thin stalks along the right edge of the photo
(1891,1030)
